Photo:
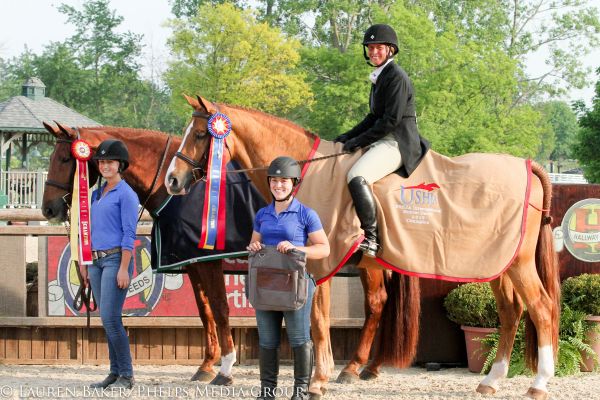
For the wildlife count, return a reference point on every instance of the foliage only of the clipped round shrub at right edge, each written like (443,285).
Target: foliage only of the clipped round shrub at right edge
(582,293)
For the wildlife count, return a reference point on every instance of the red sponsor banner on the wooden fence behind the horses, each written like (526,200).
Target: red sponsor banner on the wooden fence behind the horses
(149,294)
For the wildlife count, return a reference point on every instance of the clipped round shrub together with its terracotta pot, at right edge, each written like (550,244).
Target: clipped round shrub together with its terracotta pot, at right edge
(582,294)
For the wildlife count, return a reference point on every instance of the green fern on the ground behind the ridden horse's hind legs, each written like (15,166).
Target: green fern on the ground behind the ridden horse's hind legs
(571,345)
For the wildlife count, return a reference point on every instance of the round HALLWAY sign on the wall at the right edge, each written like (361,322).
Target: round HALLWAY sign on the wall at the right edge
(581,230)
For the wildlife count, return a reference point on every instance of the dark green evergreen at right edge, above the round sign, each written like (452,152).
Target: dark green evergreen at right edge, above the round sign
(587,142)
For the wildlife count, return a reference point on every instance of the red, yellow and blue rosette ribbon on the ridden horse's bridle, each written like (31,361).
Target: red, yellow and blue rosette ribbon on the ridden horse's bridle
(213,214)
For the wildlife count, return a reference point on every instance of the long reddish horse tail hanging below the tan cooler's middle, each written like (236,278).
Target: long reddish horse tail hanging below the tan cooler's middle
(399,325)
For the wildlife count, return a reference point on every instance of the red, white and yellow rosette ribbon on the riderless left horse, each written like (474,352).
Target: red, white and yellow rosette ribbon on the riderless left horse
(81,241)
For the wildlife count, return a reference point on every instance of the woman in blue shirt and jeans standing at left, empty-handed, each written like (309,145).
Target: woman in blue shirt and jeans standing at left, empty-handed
(114,220)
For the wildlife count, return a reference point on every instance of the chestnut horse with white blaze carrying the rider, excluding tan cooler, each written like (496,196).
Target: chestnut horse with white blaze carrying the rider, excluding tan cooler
(532,278)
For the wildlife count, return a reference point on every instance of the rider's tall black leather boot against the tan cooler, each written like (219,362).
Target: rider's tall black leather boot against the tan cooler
(364,203)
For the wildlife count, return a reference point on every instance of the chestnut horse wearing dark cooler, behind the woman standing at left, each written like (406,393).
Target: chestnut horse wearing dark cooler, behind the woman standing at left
(148,148)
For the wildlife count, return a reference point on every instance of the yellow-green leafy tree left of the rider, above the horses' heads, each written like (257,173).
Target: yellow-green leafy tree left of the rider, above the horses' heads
(224,54)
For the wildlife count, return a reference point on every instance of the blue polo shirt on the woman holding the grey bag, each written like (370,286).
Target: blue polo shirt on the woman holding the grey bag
(293,224)
